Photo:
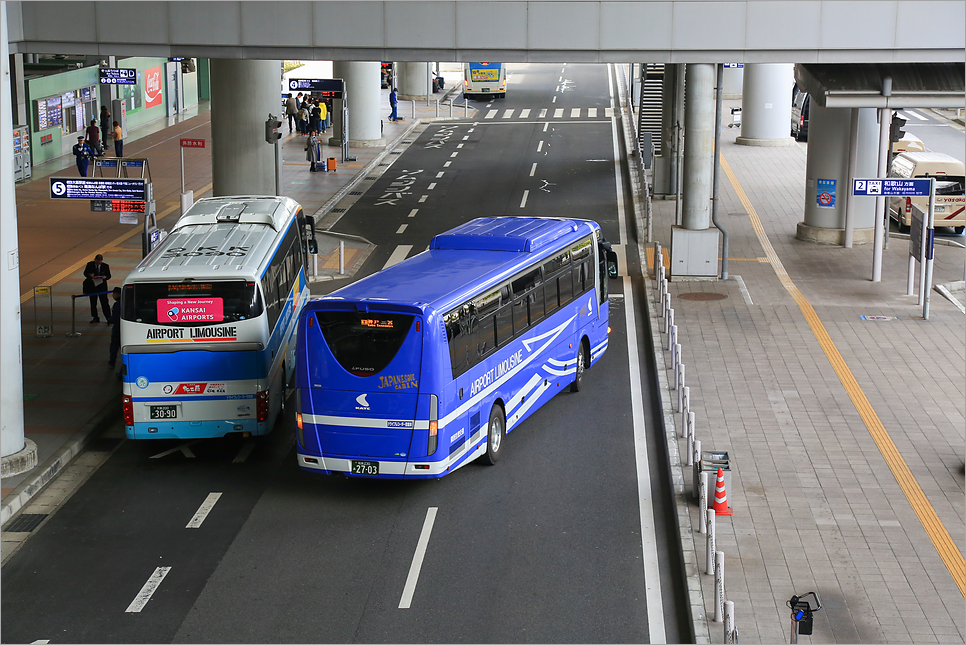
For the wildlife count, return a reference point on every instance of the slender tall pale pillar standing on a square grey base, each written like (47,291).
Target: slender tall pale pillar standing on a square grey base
(698,160)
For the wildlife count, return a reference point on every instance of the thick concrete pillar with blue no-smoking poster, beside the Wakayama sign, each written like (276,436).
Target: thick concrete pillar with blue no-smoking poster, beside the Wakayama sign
(828,159)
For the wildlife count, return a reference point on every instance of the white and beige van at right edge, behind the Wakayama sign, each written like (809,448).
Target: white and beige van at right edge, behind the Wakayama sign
(950,177)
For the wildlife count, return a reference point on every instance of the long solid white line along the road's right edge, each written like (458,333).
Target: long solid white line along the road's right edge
(652,574)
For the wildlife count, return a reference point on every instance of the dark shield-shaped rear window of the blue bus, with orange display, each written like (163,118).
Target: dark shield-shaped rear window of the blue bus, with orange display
(363,343)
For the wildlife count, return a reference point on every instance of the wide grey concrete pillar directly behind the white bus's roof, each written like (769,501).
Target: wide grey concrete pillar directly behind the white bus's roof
(243,94)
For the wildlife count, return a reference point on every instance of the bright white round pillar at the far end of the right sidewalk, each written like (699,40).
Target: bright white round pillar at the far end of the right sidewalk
(766,104)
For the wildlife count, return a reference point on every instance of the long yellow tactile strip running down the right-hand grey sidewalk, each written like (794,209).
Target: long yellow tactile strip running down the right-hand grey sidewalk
(950,554)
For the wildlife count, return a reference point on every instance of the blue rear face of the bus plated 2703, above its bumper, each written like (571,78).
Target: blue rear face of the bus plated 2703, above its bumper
(363,390)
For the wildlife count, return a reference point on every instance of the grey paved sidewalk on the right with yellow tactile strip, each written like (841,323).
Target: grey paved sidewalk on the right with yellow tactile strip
(845,434)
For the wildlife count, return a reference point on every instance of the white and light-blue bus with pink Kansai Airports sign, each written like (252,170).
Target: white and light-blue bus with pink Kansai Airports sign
(209,319)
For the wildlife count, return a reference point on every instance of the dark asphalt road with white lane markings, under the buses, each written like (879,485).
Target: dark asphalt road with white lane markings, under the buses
(544,547)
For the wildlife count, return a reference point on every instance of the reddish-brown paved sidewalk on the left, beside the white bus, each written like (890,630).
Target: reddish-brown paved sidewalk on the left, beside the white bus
(70,393)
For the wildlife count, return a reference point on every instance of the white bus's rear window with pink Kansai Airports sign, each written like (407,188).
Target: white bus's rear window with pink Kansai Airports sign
(190,304)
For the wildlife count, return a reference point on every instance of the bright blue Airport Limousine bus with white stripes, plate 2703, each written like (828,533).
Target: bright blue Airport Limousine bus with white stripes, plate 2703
(417,370)
